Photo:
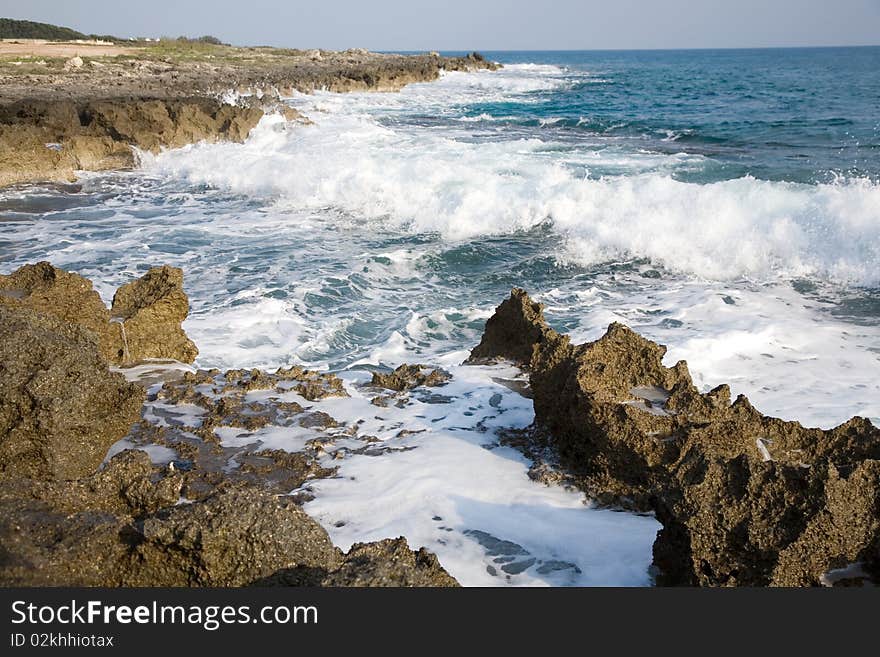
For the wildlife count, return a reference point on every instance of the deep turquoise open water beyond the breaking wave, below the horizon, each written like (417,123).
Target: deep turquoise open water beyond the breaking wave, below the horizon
(801,115)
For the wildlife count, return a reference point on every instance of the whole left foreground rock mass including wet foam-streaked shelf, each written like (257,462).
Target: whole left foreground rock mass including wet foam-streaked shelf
(70,516)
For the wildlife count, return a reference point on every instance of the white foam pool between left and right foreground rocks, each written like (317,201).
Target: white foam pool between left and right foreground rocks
(450,487)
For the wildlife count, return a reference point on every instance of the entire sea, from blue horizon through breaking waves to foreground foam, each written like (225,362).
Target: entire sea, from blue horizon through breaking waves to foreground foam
(725,203)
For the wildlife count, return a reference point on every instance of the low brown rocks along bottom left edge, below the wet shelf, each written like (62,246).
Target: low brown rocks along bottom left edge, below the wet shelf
(126,526)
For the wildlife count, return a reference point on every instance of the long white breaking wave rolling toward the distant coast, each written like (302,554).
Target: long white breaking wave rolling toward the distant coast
(422,182)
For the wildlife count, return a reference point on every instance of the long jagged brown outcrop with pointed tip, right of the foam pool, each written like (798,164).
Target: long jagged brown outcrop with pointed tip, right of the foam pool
(744,499)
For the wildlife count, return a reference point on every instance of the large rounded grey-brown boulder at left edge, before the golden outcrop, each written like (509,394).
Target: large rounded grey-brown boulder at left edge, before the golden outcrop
(60,406)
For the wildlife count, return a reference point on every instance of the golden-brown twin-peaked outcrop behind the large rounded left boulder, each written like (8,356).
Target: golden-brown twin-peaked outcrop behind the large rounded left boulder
(144,322)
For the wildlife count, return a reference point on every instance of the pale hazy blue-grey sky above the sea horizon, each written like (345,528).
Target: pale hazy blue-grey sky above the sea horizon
(475,24)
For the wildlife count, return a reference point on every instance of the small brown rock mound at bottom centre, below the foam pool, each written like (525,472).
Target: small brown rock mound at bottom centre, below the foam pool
(389,563)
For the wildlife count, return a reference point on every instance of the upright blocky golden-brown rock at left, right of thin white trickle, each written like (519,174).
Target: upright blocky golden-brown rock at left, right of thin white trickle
(150,311)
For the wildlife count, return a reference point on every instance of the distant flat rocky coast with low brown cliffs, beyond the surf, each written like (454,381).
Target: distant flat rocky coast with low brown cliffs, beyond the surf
(89,115)
